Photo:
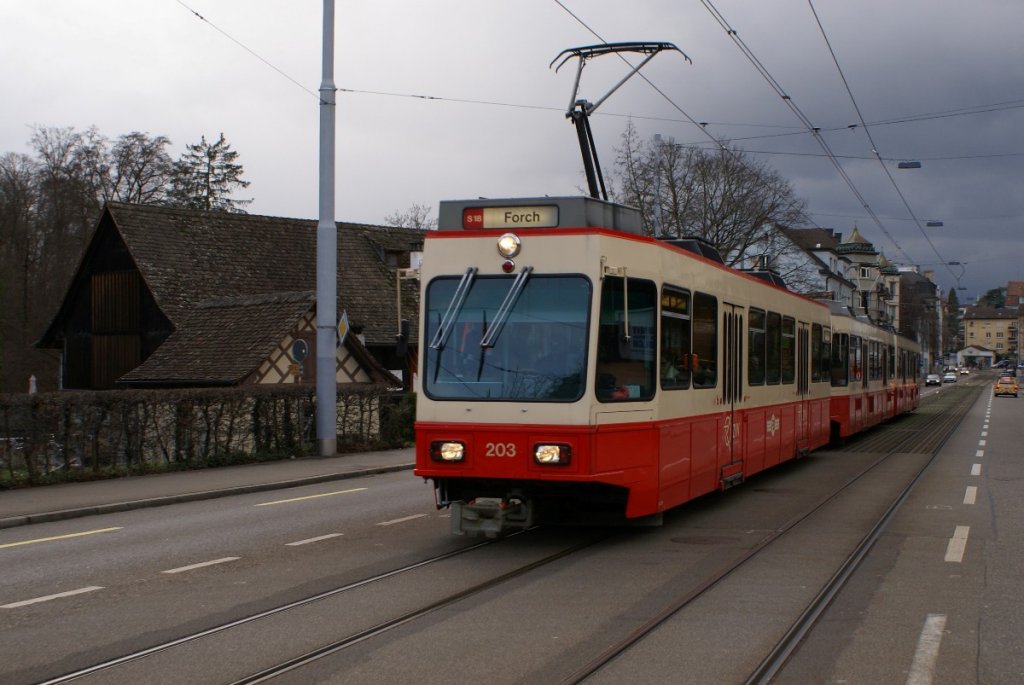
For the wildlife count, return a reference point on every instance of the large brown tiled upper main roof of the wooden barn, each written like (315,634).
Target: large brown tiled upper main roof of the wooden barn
(191,259)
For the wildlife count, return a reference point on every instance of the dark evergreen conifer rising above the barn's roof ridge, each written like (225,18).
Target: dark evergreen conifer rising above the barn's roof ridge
(206,176)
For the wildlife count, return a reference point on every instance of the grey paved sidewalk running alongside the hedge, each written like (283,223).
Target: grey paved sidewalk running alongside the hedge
(54,503)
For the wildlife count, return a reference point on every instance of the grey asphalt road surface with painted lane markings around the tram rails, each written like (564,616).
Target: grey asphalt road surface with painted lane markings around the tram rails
(936,601)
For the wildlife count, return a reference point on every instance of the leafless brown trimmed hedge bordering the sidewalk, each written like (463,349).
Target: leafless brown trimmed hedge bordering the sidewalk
(81,436)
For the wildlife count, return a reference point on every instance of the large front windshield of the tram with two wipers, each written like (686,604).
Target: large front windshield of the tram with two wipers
(539,353)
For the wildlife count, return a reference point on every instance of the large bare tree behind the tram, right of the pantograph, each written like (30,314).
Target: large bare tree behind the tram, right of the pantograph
(721,196)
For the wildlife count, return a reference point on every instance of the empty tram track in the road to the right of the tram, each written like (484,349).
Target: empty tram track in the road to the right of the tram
(924,433)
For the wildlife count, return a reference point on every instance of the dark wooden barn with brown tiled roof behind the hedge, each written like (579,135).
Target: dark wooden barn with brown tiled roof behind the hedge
(168,297)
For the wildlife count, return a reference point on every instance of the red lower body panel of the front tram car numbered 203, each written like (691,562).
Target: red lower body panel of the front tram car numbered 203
(656,465)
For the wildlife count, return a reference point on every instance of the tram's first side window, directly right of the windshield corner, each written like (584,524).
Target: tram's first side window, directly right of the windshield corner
(626,359)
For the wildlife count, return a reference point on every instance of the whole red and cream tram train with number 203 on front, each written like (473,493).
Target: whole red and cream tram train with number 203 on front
(572,366)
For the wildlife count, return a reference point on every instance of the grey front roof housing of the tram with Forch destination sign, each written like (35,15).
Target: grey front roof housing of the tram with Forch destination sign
(525,213)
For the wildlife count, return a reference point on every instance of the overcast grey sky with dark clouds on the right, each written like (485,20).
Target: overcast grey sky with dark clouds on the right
(454,99)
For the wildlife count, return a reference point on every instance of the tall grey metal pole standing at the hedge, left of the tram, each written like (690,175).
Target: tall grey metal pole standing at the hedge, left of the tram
(327,256)
